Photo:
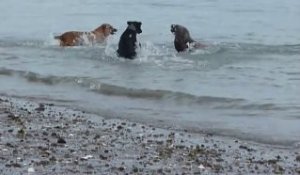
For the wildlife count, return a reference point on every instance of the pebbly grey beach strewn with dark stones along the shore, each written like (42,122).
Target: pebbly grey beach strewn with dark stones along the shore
(46,139)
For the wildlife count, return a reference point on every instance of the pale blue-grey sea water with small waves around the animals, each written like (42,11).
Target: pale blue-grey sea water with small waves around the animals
(244,85)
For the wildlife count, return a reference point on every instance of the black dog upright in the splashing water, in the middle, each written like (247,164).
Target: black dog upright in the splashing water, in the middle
(127,43)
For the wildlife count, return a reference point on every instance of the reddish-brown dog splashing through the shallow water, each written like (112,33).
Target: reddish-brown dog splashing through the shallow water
(76,38)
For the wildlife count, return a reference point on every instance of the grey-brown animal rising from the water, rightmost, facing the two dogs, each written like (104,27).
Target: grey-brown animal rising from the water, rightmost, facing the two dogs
(183,40)
